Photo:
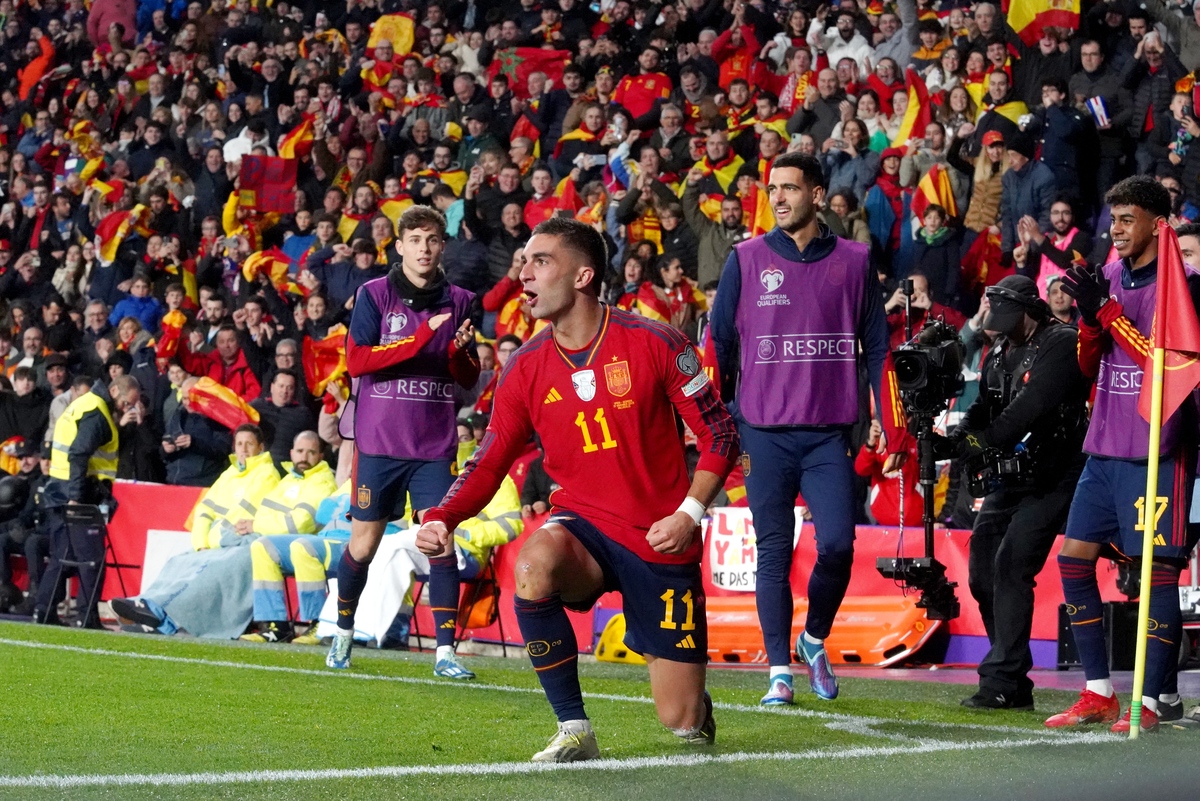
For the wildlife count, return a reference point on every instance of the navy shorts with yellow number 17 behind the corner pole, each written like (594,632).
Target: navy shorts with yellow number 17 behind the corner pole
(1109,502)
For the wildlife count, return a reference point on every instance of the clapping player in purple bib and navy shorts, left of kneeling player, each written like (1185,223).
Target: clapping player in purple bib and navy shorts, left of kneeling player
(410,342)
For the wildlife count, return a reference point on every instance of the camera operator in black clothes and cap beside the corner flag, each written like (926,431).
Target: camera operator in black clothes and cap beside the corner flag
(1033,398)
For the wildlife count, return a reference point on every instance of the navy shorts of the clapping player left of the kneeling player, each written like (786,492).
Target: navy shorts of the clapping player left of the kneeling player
(383,484)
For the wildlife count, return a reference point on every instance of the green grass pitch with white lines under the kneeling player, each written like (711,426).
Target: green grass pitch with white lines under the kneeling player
(91,715)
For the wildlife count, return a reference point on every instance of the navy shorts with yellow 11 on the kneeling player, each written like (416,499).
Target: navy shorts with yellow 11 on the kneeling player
(664,605)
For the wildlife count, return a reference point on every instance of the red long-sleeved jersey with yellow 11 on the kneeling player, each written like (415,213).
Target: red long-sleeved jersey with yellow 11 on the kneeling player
(608,426)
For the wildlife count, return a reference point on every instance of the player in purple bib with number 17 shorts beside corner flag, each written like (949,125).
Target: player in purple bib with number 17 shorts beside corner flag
(1117,305)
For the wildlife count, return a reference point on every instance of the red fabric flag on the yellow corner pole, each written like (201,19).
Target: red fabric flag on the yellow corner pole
(1175,329)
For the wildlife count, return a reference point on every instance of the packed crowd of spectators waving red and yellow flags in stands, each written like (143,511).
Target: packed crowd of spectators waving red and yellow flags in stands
(962,149)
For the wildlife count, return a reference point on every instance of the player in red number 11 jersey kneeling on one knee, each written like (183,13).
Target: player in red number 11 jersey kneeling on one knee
(601,388)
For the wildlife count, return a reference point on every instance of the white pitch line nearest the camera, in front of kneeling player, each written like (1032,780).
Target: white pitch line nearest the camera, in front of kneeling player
(525,769)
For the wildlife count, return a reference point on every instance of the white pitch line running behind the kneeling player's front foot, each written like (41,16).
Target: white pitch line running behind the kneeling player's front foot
(794,712)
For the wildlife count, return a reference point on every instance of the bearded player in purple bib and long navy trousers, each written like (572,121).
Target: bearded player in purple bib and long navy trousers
(794,311)
